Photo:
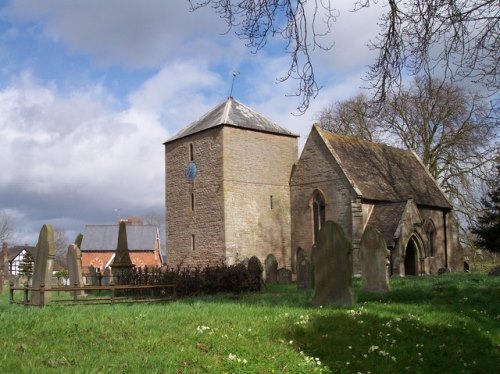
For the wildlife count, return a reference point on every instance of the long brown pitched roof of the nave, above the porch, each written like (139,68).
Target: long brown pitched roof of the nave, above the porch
(383,173)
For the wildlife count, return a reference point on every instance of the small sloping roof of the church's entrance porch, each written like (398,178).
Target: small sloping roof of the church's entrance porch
(386,218)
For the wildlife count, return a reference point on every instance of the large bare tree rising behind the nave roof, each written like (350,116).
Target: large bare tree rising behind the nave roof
(451,129)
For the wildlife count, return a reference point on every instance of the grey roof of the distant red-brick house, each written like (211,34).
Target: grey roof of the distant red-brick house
(105,238)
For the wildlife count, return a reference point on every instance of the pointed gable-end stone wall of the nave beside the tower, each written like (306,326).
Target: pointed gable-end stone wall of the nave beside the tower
(317,170)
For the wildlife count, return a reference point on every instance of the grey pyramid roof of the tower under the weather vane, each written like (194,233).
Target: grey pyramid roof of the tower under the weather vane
(232,113)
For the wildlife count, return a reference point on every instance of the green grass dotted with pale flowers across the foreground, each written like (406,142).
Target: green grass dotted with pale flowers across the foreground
(445,324)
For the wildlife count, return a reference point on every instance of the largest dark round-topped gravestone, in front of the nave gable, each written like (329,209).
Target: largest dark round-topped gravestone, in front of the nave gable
(333,268)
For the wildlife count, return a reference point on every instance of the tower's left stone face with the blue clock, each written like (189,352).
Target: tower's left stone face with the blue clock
(203,225)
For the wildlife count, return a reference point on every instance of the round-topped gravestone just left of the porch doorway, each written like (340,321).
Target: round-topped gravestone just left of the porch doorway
(373,256)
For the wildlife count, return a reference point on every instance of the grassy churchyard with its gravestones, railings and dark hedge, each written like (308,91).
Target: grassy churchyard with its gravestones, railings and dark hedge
(254,317)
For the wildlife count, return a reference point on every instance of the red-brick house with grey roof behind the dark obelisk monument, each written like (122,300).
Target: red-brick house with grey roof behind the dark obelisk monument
(100,241)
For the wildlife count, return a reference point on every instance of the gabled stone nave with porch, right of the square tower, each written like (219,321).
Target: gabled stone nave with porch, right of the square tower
(358,183)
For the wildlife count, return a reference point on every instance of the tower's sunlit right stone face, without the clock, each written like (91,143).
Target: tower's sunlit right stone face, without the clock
(256,179)
